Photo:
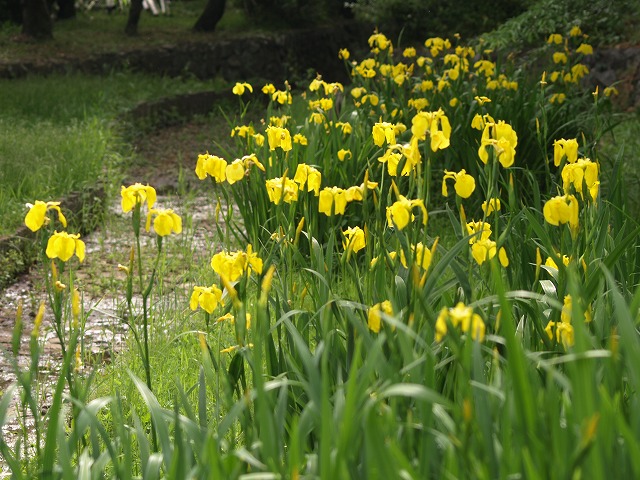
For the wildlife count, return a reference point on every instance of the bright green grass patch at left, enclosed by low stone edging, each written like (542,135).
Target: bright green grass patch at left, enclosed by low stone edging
(61,133)
